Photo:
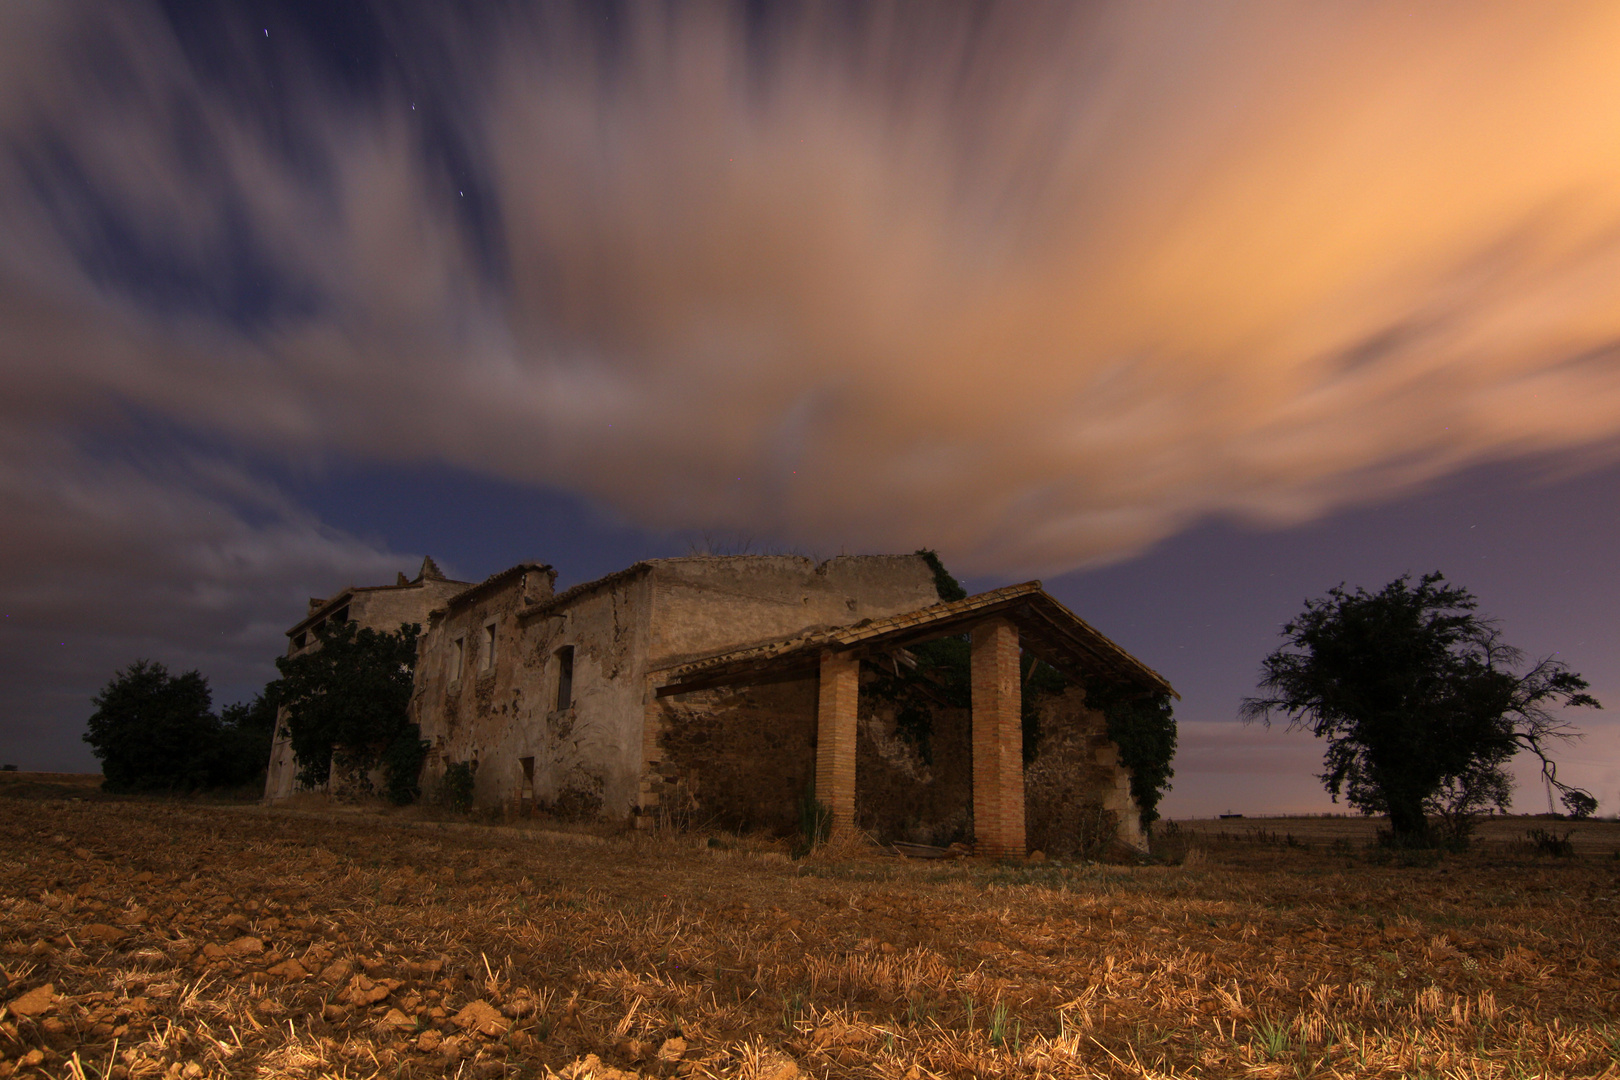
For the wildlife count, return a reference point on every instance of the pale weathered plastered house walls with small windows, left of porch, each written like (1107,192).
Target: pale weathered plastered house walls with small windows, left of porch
(592,755)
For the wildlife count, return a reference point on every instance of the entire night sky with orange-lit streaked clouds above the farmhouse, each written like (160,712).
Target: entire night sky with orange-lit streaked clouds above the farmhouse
(1192,312)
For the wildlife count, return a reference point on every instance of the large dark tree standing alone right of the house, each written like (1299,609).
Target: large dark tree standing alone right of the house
(1420,704)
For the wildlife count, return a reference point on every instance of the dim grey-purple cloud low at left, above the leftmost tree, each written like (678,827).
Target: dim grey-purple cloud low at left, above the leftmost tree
(177,558)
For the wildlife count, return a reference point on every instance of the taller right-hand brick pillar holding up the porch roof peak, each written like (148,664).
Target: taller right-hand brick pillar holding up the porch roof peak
(999,741)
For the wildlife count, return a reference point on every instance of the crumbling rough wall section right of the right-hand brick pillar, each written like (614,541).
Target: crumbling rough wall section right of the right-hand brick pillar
(1076,794)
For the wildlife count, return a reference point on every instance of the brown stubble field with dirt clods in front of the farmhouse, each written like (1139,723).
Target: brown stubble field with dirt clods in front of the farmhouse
(171,940)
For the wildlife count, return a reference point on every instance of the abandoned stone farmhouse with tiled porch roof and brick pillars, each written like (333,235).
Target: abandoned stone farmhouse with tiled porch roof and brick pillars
(731,691)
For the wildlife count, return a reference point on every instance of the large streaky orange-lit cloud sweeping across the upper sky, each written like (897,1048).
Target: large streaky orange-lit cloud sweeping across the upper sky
(1031,284)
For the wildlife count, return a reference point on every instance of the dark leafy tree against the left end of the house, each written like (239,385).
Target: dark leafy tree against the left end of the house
(347,700)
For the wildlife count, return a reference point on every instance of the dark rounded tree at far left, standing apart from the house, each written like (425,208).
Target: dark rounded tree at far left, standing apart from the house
(150,728)
